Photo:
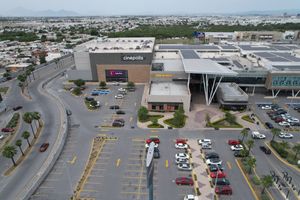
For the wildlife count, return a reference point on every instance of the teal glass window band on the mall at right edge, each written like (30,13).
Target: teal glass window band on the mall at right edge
(285,81)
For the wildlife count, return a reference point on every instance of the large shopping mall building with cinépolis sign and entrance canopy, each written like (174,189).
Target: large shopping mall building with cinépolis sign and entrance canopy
(175,75)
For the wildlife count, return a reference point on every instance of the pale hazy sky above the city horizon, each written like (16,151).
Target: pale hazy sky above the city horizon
(137,7)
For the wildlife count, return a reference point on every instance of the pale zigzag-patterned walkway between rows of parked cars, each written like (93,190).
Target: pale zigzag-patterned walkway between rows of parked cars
(207,192)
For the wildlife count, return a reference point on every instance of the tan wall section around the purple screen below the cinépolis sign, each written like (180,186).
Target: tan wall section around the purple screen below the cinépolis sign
(136,73)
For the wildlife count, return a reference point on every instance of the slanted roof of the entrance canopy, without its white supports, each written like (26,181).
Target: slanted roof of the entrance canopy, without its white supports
(197,65)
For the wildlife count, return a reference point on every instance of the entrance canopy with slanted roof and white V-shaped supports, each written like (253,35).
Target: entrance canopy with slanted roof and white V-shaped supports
(209,69)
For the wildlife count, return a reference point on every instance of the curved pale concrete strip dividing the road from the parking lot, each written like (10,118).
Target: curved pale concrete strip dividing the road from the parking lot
(38,178)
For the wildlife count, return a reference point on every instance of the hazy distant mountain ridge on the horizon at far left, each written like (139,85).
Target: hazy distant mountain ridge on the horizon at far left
(23,12)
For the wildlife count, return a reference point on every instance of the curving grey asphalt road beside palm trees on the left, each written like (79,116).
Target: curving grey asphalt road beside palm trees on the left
(11,185)
